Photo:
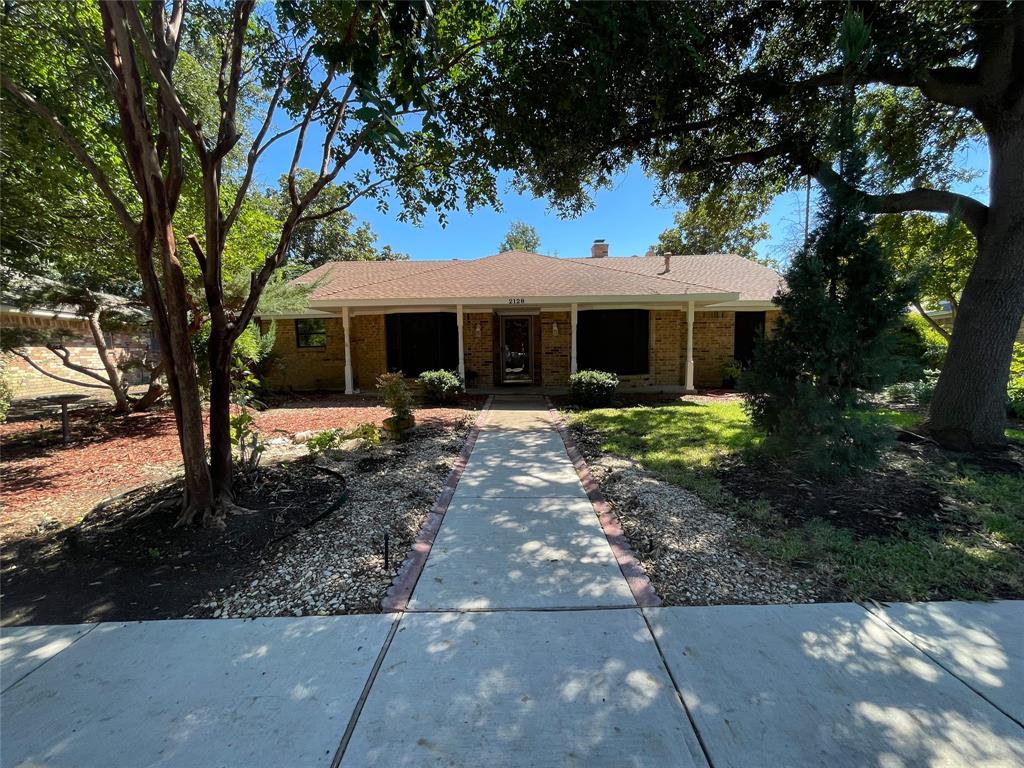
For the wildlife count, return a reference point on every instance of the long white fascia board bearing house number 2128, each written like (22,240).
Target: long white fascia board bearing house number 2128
(527,302)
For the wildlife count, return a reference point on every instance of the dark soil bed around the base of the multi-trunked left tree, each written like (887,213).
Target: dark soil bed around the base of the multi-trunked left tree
(124,563)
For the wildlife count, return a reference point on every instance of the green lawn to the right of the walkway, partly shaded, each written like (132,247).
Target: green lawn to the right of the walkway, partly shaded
(980,556)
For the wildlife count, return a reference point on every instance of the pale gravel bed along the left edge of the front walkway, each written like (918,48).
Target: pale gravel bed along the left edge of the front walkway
(337,566)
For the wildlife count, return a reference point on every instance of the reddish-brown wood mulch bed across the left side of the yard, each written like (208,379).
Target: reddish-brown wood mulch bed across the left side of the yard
(51,486)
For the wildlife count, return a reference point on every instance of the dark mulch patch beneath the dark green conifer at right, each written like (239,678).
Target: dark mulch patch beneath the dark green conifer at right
(875,503)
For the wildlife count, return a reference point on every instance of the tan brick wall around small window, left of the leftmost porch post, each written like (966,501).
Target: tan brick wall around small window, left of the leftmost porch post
(307,368)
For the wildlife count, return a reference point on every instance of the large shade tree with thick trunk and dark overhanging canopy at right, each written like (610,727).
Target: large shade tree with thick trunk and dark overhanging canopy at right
(742,93)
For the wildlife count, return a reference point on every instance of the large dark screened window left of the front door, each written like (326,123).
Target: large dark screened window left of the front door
(422,342)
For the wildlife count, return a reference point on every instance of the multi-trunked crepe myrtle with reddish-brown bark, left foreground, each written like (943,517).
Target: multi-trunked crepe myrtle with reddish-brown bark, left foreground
(347,84)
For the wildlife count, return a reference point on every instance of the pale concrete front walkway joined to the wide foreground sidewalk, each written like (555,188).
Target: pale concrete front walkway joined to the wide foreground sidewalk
(523,647)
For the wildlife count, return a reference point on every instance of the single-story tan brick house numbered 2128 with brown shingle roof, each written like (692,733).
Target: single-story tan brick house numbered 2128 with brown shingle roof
(522,319)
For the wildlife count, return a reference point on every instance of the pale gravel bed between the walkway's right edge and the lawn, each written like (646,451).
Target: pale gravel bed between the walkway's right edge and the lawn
(691,552)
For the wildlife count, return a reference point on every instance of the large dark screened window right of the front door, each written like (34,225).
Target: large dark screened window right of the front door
(614,340)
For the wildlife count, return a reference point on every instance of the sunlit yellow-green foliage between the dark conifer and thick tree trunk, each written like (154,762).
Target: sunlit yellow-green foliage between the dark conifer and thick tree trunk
(938,257)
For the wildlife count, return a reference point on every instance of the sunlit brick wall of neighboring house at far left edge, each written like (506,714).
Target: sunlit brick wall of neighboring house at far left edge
(27,382)
